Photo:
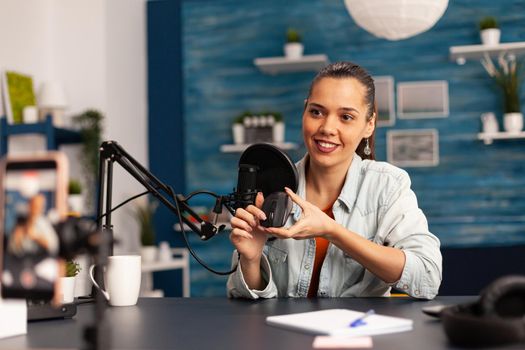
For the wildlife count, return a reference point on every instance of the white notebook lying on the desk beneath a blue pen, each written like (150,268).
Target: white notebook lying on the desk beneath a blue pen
(337,322)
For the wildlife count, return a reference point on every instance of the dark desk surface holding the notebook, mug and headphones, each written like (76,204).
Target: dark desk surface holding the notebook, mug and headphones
(221,323)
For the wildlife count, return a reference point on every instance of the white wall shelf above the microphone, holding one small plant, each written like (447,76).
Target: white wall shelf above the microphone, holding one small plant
(275,65)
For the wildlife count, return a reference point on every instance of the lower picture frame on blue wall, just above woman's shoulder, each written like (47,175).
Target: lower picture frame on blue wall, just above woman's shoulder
(413,148)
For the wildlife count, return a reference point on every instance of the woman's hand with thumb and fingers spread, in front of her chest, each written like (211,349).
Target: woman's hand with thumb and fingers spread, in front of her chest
(313,222)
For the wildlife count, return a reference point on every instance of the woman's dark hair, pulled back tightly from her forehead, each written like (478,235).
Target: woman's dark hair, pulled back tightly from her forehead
(345,69)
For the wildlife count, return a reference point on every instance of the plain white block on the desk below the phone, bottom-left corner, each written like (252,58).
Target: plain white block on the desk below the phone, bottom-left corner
(13,317)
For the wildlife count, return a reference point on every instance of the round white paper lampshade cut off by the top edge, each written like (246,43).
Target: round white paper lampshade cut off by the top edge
(396,19)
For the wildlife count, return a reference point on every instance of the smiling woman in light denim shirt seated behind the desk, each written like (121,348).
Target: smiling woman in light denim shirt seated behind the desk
(357,229)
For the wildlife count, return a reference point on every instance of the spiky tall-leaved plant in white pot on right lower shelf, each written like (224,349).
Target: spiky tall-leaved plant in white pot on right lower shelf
(508,75)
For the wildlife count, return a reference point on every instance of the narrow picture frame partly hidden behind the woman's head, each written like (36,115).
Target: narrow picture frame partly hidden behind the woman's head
(386,114)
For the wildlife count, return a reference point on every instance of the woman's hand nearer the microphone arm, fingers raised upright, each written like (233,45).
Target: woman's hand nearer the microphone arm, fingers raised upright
(247,235)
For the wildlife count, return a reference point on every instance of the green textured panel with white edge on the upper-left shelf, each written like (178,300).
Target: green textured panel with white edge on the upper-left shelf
(18,93)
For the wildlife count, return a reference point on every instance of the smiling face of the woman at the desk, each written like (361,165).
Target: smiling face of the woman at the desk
(335,121)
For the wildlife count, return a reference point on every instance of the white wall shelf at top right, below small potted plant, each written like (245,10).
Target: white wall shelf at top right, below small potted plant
(461,53)
